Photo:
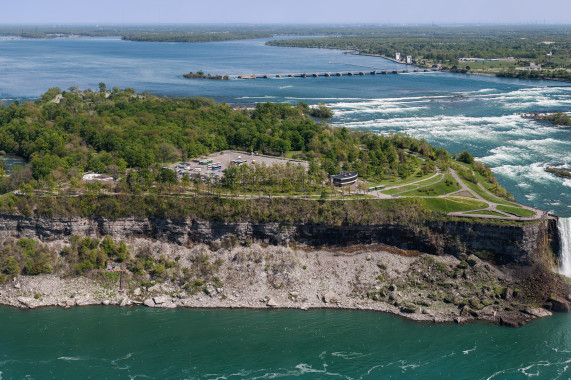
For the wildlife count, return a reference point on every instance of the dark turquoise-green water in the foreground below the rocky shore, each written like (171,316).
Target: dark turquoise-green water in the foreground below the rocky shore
(110,342)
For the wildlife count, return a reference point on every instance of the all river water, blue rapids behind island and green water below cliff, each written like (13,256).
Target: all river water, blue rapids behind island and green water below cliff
(456,112)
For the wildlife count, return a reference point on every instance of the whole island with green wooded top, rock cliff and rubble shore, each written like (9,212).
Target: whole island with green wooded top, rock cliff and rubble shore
(420,234)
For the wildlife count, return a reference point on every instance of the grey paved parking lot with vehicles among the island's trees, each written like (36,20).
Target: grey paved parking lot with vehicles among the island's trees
(213,166)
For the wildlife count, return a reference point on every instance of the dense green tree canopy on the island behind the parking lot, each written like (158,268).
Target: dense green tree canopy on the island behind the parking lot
(112,132)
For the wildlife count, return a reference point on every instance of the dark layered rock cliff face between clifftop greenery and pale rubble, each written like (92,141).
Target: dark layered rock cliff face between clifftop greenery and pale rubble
(504,243)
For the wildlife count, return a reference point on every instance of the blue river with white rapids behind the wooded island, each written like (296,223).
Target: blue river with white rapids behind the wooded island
(455,111)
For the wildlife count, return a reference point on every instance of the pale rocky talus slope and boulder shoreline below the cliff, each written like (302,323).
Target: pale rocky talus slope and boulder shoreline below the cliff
(411,284)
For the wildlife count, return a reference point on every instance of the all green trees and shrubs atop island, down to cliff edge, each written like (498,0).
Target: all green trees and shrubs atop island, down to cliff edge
(132,136)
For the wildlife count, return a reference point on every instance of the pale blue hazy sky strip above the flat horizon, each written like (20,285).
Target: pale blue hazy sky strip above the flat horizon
(285,11)
